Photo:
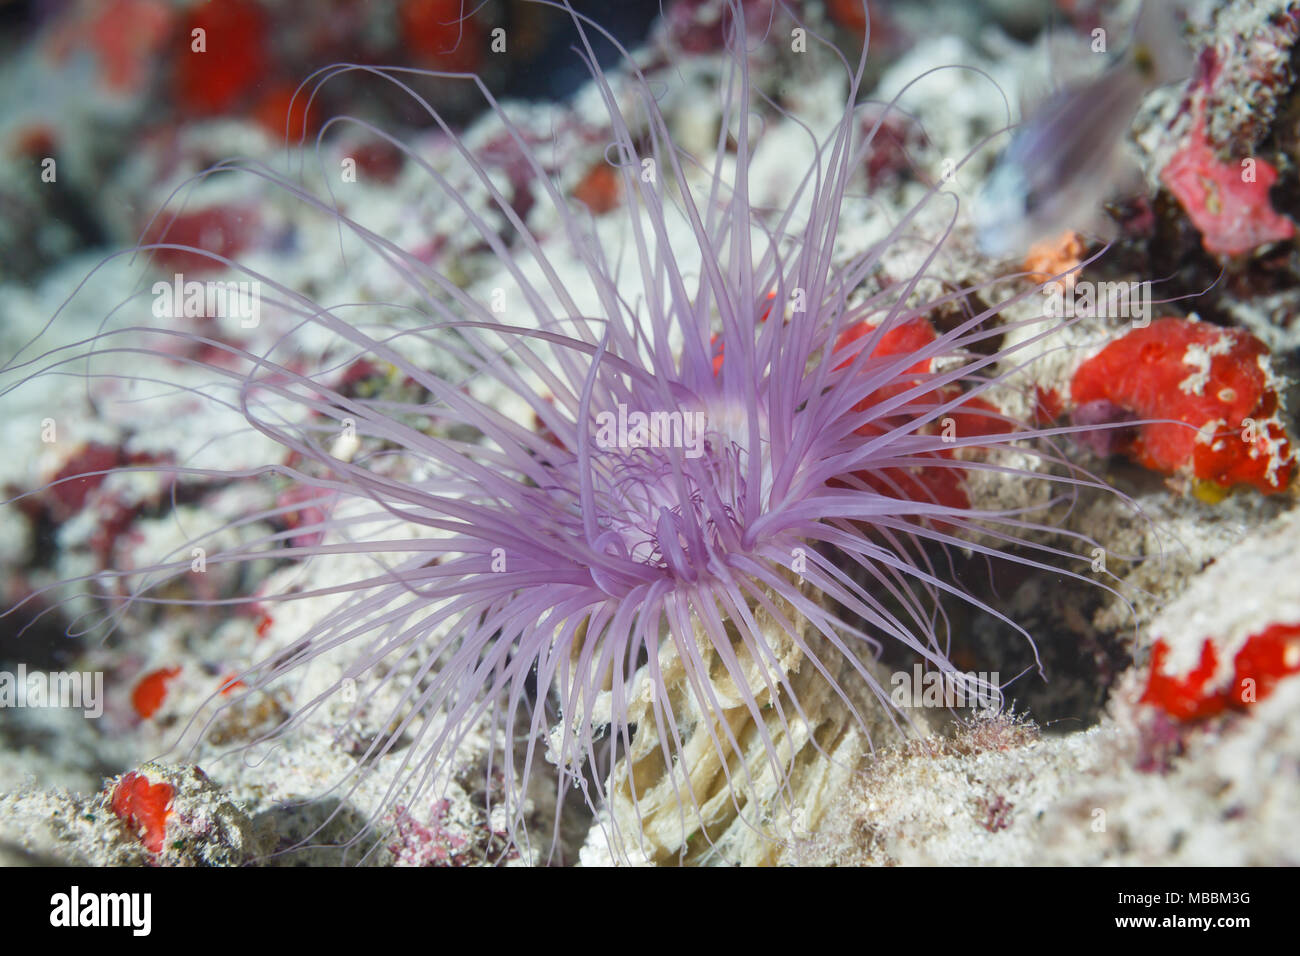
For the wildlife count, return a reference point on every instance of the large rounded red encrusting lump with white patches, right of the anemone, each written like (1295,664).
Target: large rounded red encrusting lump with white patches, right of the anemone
(1207,397)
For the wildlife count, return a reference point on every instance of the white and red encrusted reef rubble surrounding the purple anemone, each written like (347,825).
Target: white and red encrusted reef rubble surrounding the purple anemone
(1151,721)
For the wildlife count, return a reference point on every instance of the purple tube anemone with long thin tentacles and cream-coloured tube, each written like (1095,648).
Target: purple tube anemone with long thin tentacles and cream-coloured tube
(669,587)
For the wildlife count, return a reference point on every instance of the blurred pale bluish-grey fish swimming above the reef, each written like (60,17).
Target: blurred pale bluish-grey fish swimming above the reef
(1067,158)
